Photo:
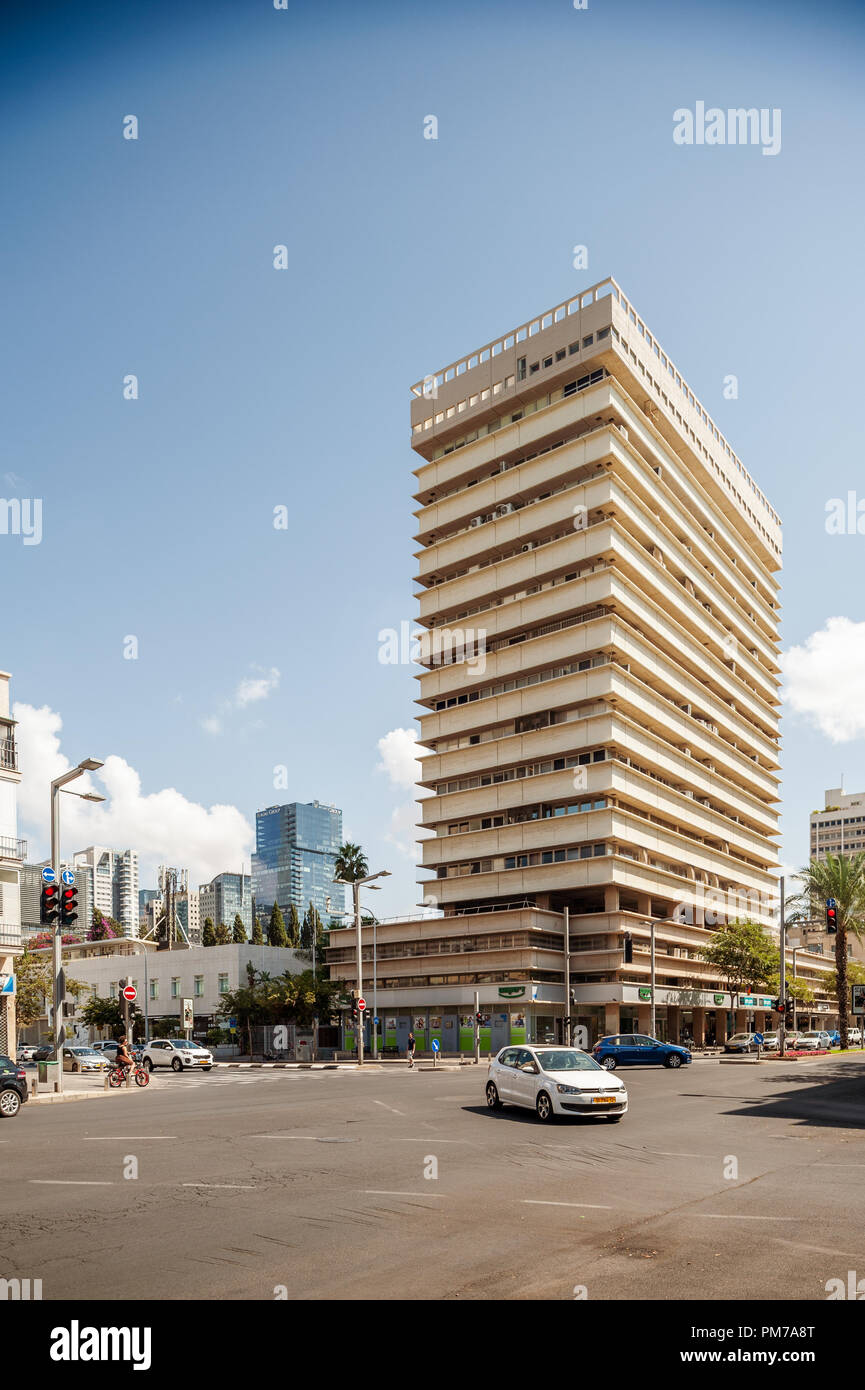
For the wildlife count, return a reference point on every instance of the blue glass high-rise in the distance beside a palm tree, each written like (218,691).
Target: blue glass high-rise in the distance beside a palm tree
(297,849)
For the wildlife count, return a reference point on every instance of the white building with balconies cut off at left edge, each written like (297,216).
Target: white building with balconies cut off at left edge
(13,853)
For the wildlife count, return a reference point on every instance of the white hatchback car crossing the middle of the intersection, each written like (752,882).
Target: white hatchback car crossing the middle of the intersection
(554,1081)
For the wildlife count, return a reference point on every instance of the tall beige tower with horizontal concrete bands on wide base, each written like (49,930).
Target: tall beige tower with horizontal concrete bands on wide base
(599,692)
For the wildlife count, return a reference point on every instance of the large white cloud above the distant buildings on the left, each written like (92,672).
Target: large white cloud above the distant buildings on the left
(163,826)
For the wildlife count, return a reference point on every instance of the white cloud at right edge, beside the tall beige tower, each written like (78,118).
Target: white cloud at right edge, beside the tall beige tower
(825,679)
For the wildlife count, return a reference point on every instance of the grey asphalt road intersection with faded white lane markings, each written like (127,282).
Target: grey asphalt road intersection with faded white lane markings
(722,1182)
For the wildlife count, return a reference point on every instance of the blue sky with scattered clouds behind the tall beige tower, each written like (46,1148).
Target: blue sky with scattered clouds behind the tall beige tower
(261,389)
